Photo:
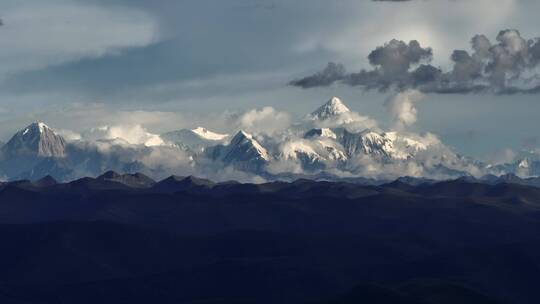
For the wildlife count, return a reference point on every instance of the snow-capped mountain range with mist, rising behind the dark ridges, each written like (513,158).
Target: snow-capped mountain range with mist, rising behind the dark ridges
(331,142)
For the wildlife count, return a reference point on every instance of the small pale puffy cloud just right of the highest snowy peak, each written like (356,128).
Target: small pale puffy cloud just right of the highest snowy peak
(402,107)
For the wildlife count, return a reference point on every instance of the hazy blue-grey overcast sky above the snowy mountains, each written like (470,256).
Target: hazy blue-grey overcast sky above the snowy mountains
(170,64)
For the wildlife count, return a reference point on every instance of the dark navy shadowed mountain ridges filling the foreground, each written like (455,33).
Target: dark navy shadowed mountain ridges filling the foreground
(119,239)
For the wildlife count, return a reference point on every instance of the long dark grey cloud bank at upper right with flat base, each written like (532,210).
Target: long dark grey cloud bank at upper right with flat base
(508,66)
